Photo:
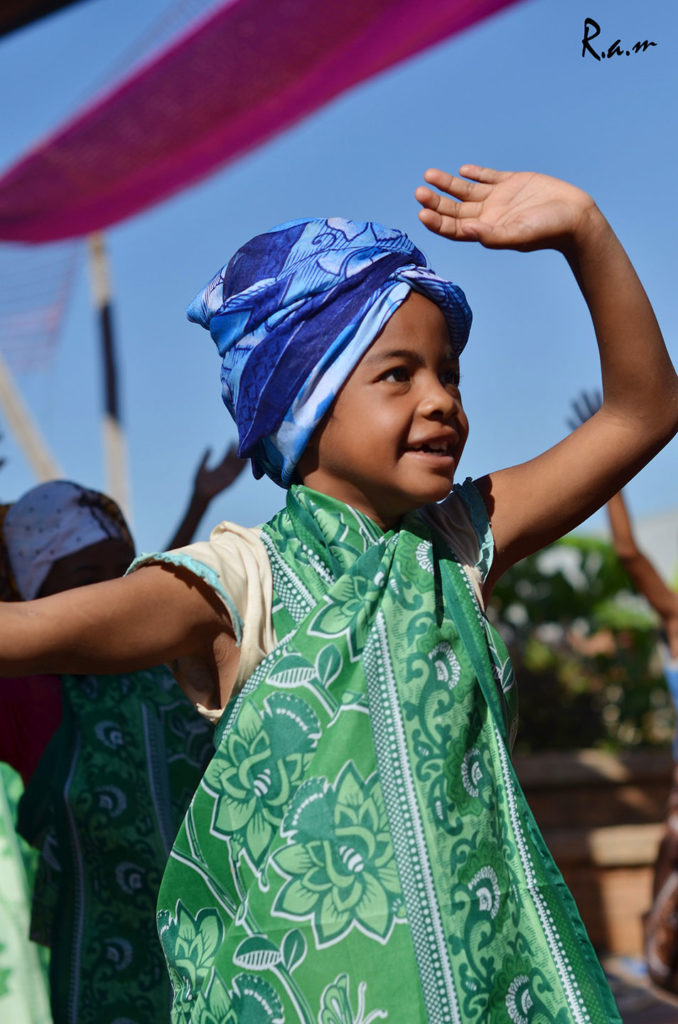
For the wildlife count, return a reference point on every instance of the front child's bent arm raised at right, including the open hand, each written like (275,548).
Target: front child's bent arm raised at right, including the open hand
(531,505)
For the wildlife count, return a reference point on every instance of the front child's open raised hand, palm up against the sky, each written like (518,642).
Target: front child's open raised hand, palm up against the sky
(505,209)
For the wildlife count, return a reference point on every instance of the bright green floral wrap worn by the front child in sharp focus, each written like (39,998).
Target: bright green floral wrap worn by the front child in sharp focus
(359,848)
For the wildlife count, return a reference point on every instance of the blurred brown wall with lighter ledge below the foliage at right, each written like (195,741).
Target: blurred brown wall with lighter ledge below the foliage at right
(602,816)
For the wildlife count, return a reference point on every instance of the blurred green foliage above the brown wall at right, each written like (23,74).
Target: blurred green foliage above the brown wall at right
(586,652)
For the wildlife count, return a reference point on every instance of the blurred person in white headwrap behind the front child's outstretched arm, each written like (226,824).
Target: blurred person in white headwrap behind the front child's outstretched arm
(110,764)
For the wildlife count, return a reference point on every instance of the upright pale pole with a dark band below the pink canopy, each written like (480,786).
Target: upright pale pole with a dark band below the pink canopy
(115,447)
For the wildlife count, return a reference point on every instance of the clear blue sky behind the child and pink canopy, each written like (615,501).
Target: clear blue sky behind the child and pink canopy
(515,93)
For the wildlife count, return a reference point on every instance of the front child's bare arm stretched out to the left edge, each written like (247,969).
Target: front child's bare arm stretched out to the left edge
(152,617)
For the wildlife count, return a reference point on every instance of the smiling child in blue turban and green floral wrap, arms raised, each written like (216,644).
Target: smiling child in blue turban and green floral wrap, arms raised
(360,848)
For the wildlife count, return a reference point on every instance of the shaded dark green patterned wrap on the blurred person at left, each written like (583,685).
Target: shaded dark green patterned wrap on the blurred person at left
(104,807)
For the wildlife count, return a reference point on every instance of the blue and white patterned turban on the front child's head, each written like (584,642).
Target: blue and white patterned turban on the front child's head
(293,313)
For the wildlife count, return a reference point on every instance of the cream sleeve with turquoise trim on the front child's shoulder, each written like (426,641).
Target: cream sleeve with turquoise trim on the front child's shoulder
(234,563)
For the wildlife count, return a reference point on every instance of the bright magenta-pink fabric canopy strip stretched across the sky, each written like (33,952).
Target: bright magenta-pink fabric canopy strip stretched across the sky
(252,69)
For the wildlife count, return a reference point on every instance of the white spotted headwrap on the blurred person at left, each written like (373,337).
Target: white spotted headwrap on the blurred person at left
(52,522)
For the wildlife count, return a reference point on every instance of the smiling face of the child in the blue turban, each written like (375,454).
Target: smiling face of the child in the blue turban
(396,434)
